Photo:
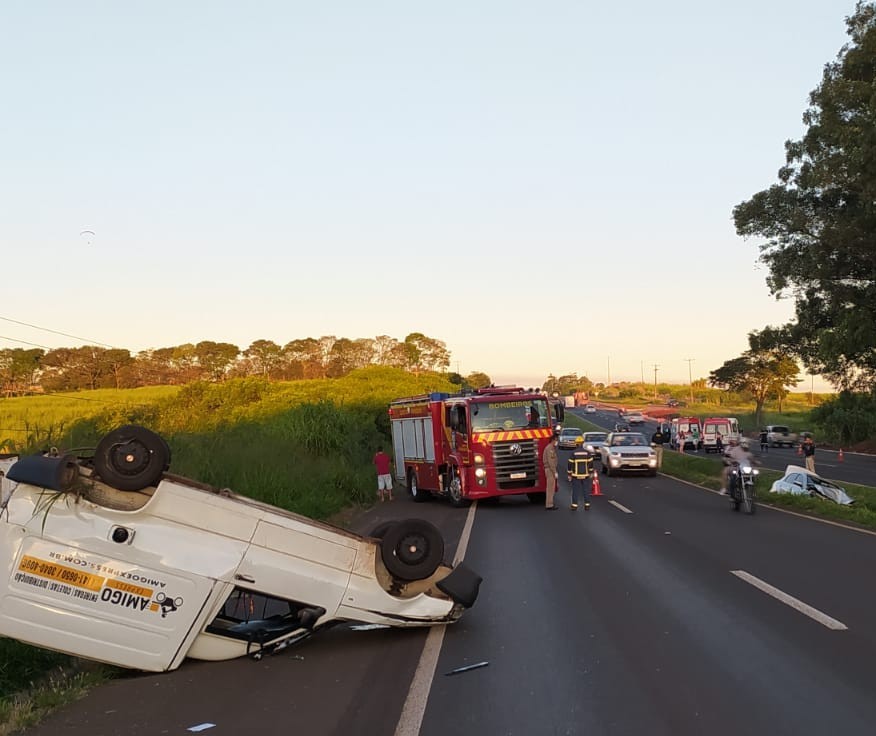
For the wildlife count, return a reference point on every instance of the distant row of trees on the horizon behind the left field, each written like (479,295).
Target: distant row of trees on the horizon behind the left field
(24,371)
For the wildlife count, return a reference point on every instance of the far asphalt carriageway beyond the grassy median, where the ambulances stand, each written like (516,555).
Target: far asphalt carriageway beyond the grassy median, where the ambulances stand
(854,468)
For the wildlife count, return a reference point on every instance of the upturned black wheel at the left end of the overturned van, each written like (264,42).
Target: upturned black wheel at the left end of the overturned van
(131,458)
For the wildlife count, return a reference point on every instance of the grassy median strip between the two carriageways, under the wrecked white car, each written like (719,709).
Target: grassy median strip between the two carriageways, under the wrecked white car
(706,471)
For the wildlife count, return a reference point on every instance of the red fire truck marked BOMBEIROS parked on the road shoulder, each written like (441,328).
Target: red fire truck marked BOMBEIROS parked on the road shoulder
(472,445)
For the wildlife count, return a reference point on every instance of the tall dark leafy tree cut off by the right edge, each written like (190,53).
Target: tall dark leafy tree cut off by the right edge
(819,222)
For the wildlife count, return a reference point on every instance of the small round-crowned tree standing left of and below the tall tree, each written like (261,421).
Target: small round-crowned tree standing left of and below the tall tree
(762,373)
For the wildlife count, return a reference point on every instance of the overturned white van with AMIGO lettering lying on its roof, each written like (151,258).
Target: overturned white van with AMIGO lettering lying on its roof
(115,560)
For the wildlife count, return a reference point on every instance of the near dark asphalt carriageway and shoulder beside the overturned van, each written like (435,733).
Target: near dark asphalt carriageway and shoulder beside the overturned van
(637,617)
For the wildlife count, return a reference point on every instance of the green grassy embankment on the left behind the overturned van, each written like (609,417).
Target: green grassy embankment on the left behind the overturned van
(305,446)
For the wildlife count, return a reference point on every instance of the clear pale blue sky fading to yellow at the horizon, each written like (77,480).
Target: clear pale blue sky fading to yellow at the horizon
(546,187)
